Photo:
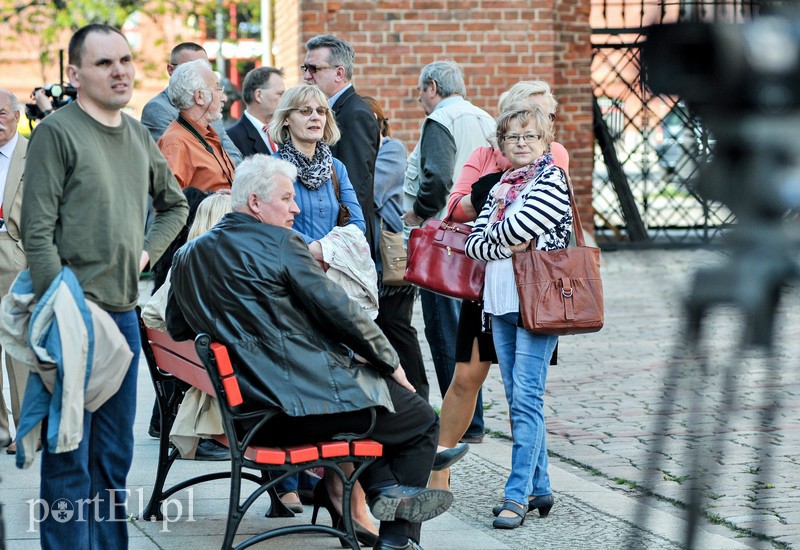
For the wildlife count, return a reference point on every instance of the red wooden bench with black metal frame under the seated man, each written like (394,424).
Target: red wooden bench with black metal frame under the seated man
(206,365)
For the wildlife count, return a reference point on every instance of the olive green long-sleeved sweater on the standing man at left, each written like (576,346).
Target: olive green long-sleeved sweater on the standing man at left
(84,204)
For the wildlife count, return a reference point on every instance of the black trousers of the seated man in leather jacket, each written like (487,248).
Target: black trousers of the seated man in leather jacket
(409,437)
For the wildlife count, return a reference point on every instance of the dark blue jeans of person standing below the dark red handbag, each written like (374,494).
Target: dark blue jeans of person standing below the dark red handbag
(440,314)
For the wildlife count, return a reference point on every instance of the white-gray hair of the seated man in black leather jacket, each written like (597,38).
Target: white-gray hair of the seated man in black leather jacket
(257,175)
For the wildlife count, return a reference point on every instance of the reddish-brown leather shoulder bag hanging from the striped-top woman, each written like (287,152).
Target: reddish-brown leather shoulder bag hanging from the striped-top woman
(560,291)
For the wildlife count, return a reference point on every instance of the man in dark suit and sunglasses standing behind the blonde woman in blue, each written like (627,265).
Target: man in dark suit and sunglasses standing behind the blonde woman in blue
(329,64)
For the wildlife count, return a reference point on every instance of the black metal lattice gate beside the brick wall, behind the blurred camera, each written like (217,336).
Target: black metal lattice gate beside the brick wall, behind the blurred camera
(650,149)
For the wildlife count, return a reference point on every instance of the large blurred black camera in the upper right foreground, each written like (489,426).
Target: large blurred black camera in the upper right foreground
(743,80)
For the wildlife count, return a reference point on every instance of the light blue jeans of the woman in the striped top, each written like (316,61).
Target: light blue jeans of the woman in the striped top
(524,358)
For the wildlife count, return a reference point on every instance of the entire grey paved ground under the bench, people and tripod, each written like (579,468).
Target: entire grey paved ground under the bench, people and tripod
(611,393)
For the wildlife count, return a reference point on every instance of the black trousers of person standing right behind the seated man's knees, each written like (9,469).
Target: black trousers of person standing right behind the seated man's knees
(394,318)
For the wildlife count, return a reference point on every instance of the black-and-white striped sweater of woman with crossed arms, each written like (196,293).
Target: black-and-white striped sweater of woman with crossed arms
(545,215)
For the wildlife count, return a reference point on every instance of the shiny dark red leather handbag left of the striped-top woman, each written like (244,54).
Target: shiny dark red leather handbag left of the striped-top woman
(437,261)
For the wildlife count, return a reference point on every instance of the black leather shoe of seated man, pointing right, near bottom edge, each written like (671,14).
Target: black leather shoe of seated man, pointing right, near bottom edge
(414,504)
